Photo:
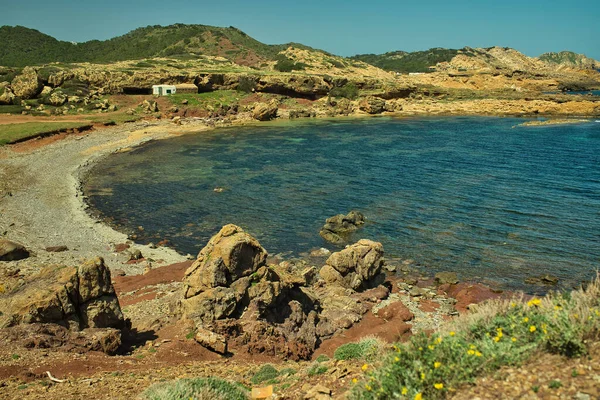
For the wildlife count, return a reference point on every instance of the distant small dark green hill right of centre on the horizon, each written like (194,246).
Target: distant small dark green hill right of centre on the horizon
(401,61)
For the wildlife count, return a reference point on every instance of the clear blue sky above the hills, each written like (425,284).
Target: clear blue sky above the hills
(343,27)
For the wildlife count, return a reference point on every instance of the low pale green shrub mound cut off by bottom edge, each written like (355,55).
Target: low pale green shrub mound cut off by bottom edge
(198,389)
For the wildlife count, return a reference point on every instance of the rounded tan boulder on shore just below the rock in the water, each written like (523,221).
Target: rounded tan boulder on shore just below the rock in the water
(355,266)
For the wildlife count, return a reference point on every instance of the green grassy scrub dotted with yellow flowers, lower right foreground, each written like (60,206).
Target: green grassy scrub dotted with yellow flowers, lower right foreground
(497,334)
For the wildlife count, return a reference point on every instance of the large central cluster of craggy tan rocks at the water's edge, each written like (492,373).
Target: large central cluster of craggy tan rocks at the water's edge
(230,294)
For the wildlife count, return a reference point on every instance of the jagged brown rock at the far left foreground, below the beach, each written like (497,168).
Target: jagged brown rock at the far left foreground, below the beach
(74,297)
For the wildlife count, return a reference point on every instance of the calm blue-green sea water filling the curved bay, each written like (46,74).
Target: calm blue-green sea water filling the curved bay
(479,196)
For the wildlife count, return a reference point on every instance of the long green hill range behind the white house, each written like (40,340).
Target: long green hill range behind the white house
(20,46)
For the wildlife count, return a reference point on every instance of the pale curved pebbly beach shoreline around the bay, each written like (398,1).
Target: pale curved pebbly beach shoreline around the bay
(57,170)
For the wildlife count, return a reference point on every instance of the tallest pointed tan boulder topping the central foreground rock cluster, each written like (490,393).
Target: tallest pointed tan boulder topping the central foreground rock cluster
(229,255)
